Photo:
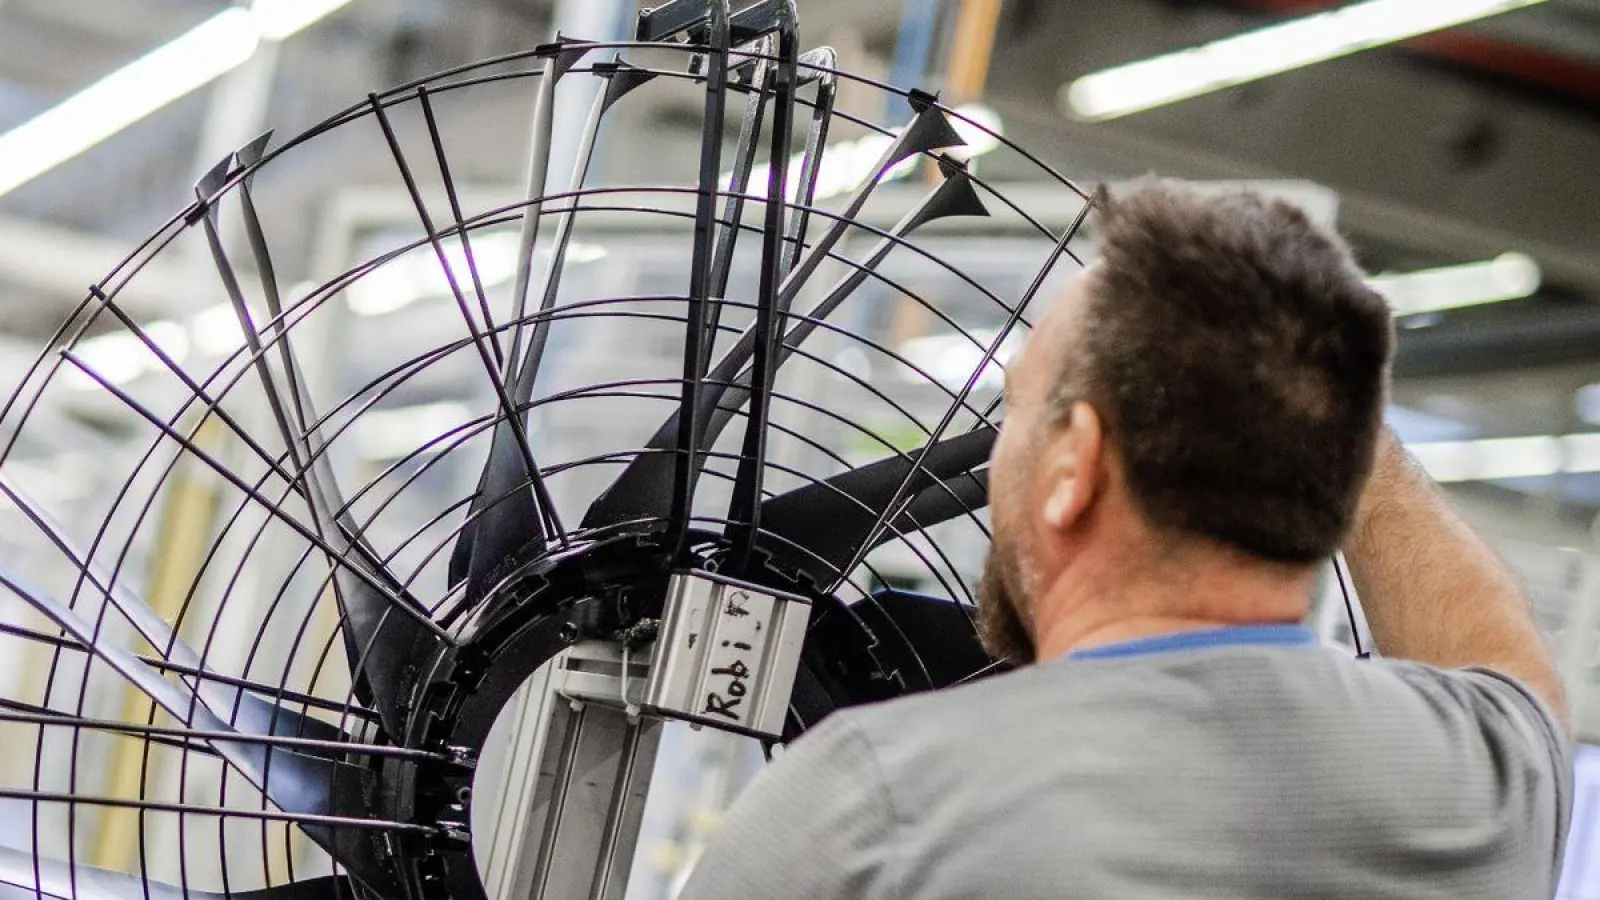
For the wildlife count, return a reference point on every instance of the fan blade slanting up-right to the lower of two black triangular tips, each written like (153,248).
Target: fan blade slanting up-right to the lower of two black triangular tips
(644,488)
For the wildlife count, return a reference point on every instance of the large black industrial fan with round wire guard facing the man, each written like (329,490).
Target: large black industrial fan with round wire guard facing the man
(260,646)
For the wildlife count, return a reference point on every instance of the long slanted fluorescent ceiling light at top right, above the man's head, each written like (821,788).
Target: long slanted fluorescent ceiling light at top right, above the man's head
(1266,52)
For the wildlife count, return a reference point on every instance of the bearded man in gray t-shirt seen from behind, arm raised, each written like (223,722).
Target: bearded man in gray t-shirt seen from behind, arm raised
(1188,436)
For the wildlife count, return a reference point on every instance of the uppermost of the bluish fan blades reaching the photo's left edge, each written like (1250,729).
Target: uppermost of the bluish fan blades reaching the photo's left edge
(250,712)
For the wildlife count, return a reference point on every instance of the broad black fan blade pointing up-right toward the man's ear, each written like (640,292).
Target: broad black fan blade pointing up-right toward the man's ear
(831,520)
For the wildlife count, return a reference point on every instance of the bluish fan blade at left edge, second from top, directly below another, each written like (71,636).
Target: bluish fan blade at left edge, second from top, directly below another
(292,781)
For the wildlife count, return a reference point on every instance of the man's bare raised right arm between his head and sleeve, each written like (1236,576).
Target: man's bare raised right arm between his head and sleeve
(1433,590)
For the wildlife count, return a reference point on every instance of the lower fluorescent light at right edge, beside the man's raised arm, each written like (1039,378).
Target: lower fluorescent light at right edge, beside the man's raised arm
(1508,457)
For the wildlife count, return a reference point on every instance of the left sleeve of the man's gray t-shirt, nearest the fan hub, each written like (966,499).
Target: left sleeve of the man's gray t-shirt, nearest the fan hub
(815,824)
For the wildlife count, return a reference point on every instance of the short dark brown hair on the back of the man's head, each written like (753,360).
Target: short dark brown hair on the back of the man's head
(1239,361)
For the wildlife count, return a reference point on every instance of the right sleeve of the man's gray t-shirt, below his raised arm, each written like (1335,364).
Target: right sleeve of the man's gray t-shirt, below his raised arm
(1519,728)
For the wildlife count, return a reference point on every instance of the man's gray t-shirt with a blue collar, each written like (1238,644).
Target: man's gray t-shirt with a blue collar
(1236,765)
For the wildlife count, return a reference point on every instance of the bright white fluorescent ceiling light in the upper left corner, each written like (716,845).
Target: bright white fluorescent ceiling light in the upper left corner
(175,70)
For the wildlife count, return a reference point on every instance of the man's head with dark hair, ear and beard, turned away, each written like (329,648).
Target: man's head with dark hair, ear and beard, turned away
(1212,385)
